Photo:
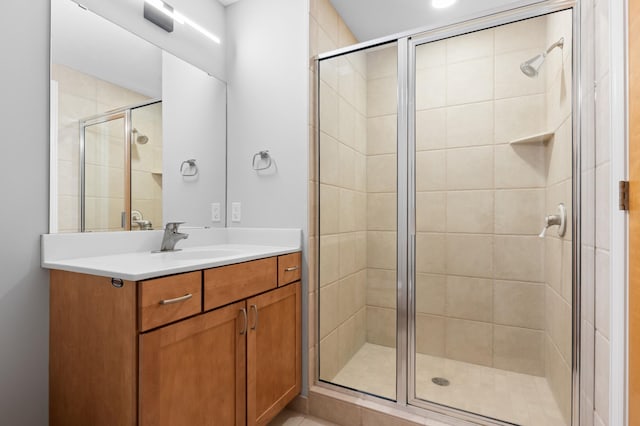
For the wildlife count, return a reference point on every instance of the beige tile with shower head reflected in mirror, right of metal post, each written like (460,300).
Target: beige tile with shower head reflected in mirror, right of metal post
(146,164)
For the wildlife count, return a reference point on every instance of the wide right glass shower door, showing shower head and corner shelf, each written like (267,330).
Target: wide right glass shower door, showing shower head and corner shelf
(492,155)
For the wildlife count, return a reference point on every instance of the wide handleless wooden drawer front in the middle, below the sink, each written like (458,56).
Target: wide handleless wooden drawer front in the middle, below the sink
(227,284)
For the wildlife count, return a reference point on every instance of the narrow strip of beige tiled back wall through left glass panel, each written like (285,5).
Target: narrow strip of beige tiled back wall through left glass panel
(382,85)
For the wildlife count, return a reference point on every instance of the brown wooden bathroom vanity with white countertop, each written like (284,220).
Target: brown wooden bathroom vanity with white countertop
(209,345)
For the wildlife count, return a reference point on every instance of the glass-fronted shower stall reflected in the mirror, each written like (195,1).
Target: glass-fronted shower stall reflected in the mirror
(121,169)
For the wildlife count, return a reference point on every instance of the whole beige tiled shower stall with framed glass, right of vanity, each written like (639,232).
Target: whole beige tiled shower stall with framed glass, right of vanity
(447,216)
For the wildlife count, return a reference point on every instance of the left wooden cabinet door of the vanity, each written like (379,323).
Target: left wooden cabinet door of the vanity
(194,372)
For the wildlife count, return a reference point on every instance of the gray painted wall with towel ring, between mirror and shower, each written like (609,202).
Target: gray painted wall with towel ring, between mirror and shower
(268,108)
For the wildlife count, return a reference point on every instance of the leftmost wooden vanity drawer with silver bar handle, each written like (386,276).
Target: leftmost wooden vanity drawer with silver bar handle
(168,299)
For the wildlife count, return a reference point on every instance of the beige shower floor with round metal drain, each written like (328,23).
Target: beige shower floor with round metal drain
(505,395)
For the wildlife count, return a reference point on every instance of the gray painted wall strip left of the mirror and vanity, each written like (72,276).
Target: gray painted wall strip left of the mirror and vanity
(24,176)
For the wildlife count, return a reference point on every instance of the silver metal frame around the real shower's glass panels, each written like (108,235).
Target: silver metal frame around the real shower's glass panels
(406,203)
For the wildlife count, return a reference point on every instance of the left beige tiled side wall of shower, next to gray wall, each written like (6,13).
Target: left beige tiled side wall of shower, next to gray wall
(343,195)
